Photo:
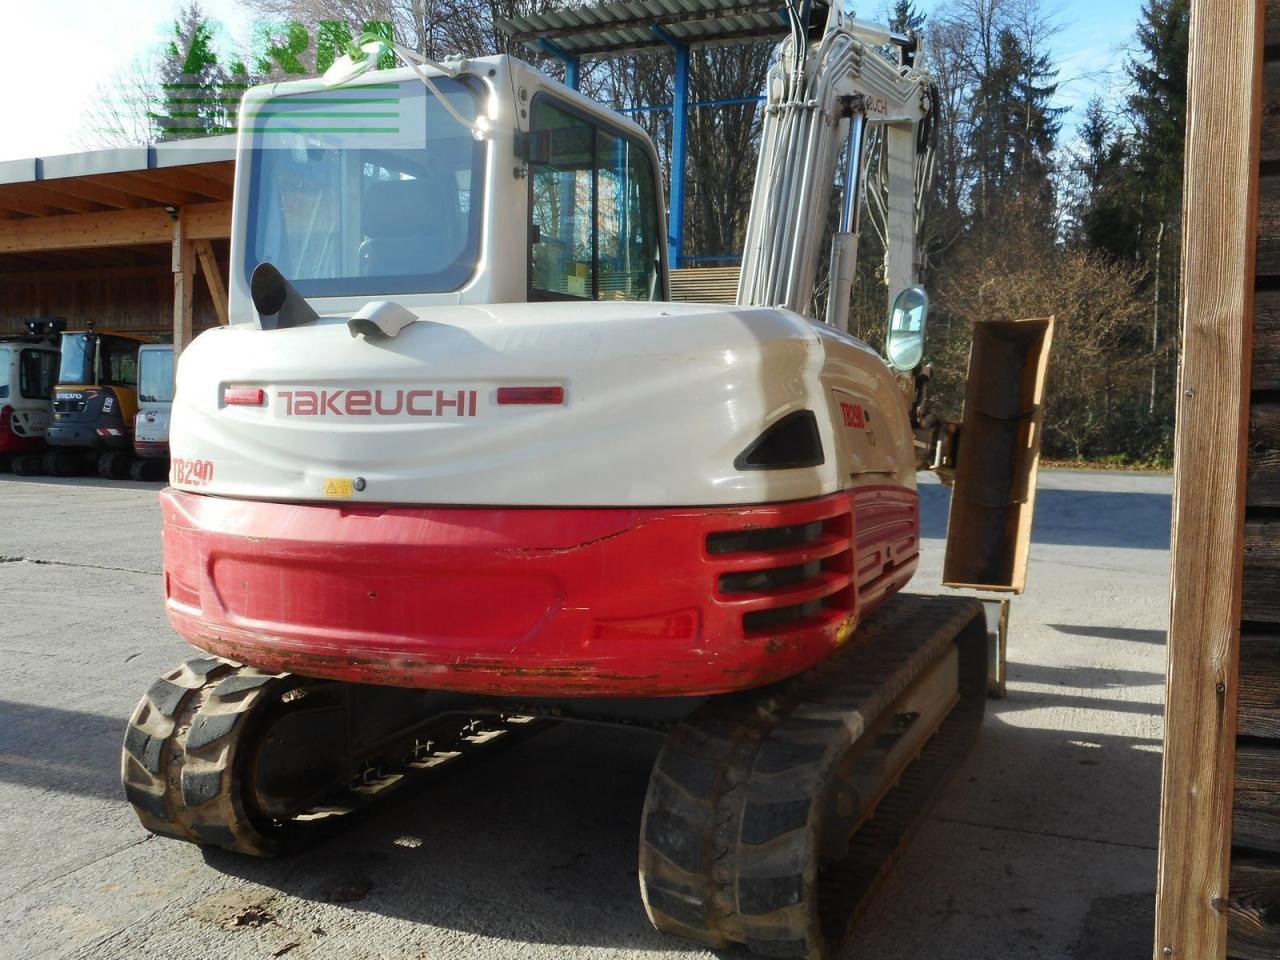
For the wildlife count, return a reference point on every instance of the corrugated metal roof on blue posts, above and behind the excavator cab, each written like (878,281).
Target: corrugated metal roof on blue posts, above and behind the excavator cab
(618,29)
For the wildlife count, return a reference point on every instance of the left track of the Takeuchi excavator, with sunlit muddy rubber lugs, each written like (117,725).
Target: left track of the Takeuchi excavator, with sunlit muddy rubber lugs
(262,764)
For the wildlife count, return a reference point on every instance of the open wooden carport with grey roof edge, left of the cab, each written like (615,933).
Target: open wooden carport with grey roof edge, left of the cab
(117,237)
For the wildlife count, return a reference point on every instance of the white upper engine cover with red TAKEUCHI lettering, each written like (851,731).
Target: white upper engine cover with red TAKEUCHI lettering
(657,405)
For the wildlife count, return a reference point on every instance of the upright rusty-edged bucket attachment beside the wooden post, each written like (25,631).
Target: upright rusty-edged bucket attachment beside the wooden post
(990,531)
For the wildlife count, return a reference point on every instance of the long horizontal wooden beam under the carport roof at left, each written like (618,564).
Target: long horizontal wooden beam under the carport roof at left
(113,228)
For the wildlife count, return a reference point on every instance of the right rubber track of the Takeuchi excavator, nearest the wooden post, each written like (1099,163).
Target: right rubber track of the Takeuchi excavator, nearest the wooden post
(729,849)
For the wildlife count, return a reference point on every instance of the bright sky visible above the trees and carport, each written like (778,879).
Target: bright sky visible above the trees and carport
(47,90)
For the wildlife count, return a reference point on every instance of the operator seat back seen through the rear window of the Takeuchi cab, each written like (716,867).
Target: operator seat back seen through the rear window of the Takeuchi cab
(410,227)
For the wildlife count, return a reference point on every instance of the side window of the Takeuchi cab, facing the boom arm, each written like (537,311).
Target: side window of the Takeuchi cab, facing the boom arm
(595,226)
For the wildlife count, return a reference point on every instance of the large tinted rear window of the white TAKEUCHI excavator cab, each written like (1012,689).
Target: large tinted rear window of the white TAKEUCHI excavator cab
(377,208)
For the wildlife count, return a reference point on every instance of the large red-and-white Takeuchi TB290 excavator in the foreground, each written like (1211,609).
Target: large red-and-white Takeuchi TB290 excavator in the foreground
(458,469)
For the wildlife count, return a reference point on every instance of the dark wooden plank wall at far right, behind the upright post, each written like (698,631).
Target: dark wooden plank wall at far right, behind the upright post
(1254,927)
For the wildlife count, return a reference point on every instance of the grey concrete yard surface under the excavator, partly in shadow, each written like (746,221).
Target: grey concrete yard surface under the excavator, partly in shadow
(1044,845)
